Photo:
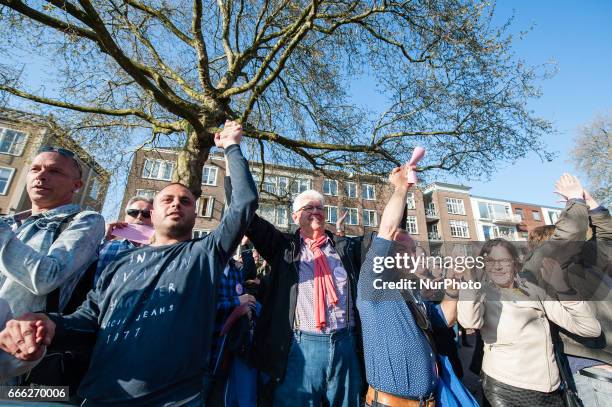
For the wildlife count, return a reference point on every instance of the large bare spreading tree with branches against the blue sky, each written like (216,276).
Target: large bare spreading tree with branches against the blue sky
(290,71)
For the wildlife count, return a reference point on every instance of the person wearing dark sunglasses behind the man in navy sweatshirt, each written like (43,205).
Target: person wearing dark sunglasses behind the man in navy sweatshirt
(137,212)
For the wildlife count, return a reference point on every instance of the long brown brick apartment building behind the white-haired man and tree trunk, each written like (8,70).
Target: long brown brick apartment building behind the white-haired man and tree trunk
(363,197)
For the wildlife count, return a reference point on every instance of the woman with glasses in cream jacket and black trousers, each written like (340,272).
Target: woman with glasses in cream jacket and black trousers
(513,316)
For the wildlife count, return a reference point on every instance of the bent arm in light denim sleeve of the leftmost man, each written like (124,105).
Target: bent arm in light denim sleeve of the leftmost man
(41,273)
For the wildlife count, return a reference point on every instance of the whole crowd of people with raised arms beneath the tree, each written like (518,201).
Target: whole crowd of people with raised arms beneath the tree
(253,316)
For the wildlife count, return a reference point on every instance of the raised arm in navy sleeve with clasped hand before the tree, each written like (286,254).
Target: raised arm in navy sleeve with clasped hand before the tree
(243,203)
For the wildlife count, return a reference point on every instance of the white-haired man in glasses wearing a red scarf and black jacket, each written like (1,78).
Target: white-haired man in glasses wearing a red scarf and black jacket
(307,337)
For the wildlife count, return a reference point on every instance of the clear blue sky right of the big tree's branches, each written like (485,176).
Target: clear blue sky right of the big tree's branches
(578,37)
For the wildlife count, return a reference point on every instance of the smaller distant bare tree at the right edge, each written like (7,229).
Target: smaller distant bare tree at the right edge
(592,156)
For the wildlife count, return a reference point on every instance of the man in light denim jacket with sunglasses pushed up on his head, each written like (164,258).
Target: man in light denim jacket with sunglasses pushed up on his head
(45,250)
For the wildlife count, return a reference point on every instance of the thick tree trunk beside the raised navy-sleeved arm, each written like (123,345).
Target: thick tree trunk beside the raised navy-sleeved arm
(191,160)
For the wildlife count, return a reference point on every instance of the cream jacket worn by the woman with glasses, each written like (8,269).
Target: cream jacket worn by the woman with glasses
(518,348)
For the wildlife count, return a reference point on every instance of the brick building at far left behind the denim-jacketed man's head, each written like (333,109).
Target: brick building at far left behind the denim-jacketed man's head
(21,136)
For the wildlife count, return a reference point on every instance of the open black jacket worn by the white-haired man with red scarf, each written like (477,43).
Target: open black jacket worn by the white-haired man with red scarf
(278,293)
